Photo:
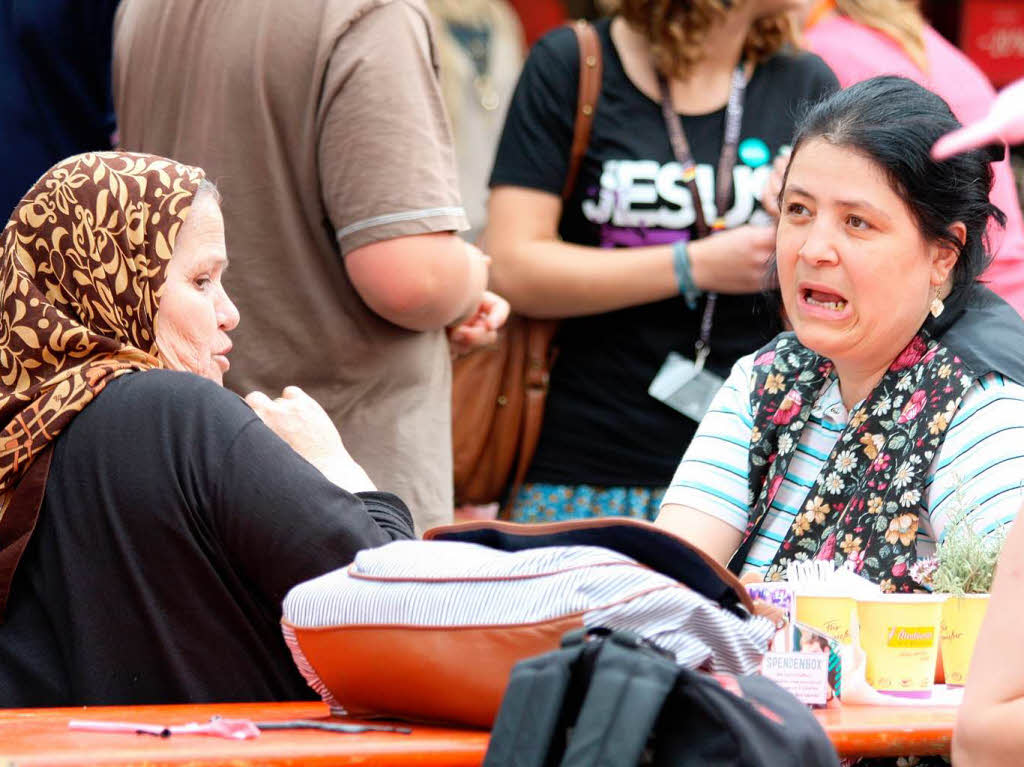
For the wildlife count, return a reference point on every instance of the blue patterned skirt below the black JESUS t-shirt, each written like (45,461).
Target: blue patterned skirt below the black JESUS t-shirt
(539,502)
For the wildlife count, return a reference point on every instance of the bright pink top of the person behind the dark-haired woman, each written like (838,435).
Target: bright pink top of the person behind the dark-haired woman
(857,53)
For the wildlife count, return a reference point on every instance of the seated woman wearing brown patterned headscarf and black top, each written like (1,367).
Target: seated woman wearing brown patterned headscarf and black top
(151,523)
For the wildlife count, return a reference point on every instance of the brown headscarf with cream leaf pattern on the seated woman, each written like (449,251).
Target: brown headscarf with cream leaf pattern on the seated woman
(83,261)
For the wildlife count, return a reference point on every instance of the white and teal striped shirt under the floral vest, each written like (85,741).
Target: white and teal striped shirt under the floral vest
(979,466)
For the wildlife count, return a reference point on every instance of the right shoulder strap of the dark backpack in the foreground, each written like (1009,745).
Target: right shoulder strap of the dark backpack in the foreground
(626,695)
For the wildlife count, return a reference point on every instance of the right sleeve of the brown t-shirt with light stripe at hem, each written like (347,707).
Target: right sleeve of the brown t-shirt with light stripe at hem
(387,161)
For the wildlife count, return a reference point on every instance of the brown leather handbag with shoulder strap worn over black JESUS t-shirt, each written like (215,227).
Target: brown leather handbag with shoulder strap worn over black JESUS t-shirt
(498,394)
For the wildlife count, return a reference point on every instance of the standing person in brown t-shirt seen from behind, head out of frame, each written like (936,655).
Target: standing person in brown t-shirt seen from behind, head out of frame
(322,123)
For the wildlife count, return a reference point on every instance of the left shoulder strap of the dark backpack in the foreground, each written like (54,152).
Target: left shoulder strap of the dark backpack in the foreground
(532,709)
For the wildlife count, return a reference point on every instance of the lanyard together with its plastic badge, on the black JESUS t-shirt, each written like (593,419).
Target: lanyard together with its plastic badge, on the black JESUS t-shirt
(684,385)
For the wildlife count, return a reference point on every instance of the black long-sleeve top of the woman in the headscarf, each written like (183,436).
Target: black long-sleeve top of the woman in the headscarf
(173,526)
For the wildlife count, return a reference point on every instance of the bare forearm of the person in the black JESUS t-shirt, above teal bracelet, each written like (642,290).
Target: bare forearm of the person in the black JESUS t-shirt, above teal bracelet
(552,279)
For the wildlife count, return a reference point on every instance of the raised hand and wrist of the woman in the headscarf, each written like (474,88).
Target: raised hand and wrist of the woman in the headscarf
(300,420)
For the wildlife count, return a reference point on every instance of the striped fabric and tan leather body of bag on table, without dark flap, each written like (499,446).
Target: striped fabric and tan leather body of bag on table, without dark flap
(432,629)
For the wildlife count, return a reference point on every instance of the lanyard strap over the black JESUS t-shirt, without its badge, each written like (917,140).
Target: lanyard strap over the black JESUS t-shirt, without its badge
(723,187)
